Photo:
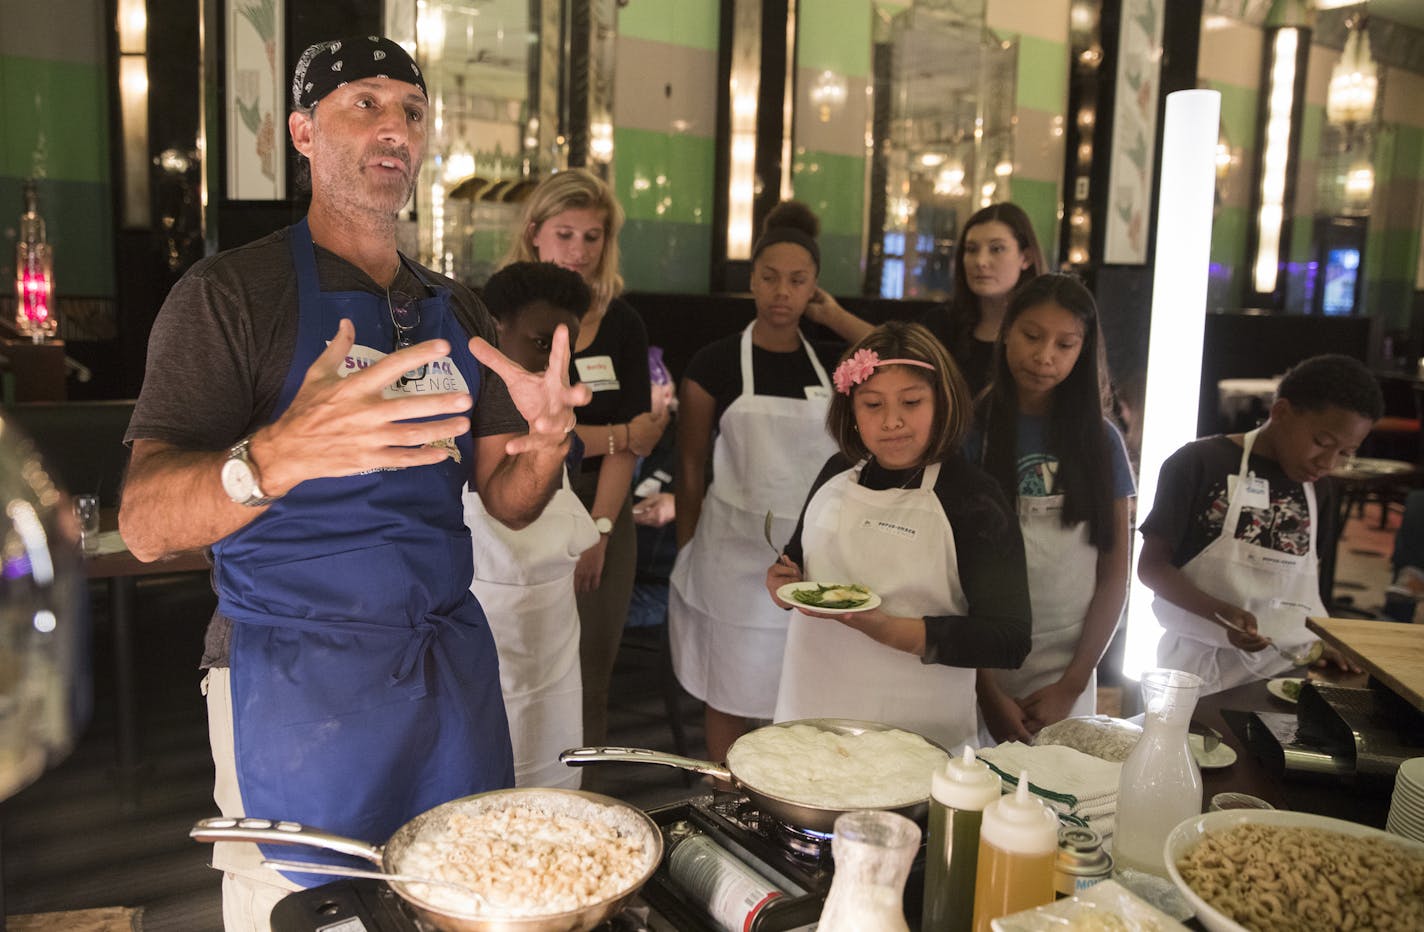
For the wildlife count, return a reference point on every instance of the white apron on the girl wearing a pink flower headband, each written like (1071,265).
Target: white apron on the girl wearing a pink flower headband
(901,545)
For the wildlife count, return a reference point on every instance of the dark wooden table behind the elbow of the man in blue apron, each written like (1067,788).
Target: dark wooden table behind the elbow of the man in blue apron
(122,571)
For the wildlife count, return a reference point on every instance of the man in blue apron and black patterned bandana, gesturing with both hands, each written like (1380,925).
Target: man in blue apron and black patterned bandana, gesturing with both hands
(313,410)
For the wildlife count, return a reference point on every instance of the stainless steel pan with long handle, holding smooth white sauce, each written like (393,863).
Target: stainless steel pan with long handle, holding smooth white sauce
(798,814)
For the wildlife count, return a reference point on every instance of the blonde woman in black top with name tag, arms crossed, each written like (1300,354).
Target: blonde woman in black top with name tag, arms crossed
(573,220)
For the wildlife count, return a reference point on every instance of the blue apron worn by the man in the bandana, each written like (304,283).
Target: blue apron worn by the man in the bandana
(365,680)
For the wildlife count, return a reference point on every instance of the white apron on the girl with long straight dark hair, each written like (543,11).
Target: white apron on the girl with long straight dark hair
(1063,576)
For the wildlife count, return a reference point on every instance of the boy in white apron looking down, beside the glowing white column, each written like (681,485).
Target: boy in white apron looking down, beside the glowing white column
(1238,527)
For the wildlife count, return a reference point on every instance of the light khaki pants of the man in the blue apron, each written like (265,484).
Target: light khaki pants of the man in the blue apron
(250,891)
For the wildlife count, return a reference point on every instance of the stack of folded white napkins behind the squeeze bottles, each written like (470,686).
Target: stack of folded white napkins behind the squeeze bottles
(1076,785)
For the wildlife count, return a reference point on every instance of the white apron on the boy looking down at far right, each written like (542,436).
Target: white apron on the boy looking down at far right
(1281,589)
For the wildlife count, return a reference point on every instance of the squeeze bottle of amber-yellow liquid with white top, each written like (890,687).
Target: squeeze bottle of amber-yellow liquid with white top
(1019,843)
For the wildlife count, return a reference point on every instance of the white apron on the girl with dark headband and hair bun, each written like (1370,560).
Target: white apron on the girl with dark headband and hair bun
(727,635)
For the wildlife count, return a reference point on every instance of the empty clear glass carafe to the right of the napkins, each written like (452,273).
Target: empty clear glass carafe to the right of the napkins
(1161,783)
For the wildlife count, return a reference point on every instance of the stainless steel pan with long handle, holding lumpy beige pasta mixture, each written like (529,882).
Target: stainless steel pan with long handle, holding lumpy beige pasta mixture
(575,803)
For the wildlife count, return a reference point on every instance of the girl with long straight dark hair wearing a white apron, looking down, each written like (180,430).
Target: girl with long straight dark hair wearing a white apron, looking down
(1045,438)
